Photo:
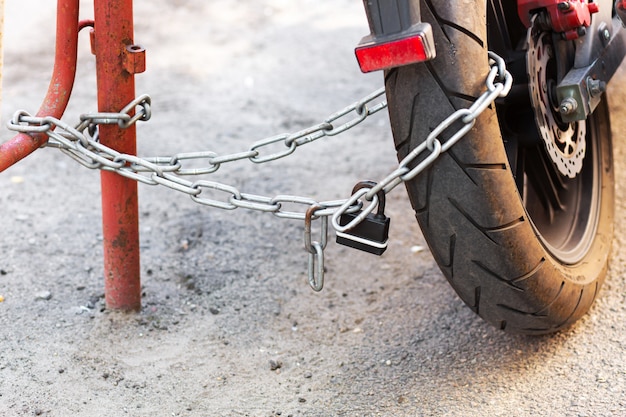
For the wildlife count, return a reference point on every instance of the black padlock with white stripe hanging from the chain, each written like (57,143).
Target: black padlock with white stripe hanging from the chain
(371,234)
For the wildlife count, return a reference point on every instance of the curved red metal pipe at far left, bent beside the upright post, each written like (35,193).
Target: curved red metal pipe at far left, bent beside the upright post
(60,86)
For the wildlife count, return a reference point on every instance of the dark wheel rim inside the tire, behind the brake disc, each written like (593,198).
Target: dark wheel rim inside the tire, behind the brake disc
(564,211)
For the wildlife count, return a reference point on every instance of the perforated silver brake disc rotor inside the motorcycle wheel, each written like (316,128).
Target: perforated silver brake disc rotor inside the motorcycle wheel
(565,142)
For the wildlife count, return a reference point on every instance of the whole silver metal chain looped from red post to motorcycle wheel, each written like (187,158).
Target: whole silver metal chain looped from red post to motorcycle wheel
(81,143)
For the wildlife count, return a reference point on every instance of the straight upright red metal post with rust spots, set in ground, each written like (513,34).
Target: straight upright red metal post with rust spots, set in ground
(120,219)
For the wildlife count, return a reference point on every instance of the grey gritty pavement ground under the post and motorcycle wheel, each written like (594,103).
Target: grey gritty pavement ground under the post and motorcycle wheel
(229,326)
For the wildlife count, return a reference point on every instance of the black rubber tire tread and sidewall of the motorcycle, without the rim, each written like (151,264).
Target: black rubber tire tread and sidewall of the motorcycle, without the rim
(468,204)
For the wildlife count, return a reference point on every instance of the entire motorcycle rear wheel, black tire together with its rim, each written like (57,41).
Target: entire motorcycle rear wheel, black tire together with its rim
(524,246)
